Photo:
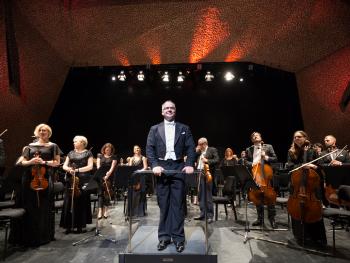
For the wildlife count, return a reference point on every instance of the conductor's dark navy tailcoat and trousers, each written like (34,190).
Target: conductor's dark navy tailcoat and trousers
(170,188)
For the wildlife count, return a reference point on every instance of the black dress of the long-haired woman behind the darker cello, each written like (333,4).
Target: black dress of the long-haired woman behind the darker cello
(314,233)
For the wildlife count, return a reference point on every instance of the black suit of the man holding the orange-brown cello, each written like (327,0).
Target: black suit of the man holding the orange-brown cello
(268,149)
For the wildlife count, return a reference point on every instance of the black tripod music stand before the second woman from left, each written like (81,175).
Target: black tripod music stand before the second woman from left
(92,185)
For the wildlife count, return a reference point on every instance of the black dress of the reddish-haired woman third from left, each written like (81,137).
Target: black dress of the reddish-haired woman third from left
(106,163)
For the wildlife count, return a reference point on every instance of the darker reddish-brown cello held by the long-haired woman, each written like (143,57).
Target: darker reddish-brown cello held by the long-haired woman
(303,204)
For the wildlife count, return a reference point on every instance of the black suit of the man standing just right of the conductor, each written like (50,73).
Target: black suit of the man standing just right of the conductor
(213,159)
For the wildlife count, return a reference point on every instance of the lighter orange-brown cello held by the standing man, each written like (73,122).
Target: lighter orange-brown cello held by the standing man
(264,194)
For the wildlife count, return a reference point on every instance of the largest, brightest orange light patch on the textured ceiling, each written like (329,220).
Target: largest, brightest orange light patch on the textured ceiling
(209,33)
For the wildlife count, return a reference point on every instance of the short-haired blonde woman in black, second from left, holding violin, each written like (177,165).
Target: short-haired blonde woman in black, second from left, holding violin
(79,163)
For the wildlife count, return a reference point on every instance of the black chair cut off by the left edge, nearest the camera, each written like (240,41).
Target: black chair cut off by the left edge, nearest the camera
(7,214)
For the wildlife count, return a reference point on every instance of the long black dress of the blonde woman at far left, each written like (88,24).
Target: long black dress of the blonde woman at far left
(38,224)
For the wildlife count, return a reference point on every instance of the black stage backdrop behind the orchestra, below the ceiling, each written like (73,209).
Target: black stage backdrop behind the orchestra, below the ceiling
(93,105)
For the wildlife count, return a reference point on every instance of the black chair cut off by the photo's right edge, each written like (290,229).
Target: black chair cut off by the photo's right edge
(339,215)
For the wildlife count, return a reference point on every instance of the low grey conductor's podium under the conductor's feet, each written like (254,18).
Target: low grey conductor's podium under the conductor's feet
(144,248)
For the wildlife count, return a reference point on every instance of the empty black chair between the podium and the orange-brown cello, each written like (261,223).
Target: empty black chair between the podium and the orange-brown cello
(228,197)
